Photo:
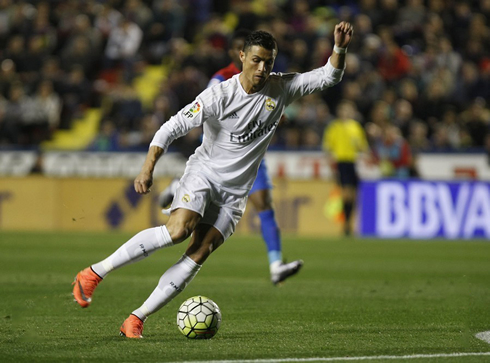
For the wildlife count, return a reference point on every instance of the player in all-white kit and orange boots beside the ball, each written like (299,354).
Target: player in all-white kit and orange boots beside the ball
(213,191)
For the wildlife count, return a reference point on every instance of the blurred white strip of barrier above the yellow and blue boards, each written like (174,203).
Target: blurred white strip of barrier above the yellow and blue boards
(294,165)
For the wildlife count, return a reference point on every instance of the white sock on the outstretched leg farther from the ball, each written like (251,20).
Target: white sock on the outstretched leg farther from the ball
(137,248)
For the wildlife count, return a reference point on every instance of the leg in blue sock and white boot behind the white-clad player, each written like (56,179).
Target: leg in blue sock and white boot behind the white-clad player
(261,198)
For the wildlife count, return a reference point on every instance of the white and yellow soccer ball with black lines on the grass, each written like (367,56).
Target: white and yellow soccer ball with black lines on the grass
(199,318)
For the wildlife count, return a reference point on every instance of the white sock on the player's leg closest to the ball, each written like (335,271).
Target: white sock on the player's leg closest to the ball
(172,282)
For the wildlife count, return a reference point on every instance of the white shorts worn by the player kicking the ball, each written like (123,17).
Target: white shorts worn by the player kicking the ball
(218,208)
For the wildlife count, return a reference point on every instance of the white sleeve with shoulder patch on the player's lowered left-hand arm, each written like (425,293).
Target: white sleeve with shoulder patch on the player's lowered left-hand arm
(190,117)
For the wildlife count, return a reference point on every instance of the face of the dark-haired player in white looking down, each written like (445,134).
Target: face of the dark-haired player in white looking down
(257,63)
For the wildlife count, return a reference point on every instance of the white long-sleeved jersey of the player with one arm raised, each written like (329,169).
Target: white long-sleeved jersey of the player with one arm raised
(238,127)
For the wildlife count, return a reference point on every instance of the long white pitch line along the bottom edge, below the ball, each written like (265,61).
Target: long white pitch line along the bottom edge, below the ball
(344,359)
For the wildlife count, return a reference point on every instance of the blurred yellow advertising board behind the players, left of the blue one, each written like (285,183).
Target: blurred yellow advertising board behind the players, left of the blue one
(309,208)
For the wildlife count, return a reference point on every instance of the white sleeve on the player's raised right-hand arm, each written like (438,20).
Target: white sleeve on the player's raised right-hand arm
(302,84)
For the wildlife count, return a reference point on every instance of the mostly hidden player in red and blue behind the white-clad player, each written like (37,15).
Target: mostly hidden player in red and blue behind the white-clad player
(261,193)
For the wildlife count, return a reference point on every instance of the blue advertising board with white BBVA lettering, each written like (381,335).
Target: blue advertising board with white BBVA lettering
(424,209)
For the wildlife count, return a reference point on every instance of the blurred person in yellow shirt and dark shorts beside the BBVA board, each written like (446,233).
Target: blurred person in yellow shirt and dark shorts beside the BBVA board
(344,139)
